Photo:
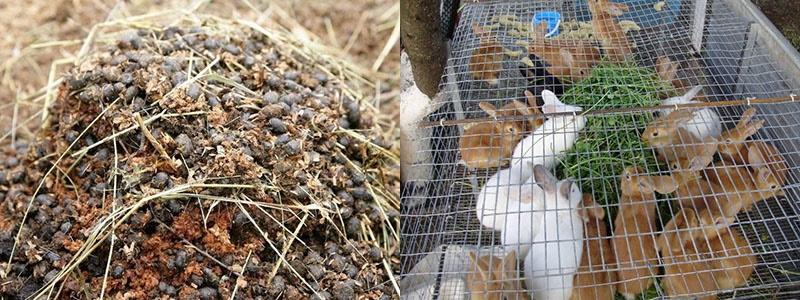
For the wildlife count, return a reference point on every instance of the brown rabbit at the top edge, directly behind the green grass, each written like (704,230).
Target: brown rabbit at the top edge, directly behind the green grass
(607,29)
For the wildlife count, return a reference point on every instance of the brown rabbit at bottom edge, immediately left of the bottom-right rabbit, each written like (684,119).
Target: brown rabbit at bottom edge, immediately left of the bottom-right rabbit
(686,272)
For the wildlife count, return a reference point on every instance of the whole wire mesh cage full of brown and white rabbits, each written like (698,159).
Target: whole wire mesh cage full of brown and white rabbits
(470,228)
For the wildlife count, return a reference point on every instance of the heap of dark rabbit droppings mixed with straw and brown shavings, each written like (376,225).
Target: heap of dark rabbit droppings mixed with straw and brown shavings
(223,162)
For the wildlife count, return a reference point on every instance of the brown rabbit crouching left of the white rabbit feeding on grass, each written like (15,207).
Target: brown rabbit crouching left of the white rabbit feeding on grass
(488,145)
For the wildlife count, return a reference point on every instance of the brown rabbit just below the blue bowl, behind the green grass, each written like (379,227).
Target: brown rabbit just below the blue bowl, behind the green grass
(568,59)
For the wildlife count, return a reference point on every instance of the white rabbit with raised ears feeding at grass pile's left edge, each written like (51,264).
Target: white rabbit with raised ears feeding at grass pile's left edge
(554,137)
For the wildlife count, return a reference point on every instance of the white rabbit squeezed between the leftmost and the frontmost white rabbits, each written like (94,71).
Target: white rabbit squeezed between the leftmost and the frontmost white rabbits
(524,218)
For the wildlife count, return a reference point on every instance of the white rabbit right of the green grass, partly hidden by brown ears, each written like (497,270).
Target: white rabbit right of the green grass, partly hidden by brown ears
(706,121)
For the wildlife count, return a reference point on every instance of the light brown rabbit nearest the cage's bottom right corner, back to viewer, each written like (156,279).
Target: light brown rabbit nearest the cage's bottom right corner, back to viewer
(726,250)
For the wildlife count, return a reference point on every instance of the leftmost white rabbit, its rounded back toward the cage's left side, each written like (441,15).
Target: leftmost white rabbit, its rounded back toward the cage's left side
(507,184)
